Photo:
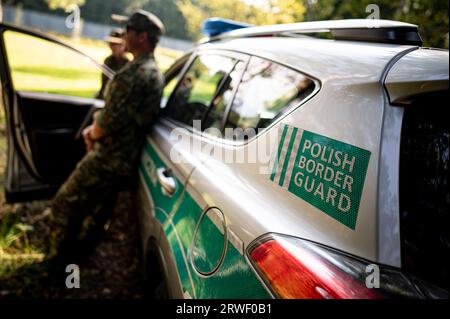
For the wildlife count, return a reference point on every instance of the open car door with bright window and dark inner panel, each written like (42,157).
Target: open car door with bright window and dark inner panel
(48,95)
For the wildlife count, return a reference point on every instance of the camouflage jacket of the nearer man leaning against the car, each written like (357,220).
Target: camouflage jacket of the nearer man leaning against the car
(132,102)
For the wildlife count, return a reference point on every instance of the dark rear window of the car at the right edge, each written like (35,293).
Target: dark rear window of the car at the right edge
(424,190)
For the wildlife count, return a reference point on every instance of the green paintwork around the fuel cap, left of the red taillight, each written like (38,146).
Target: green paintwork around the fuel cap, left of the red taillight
(235,277)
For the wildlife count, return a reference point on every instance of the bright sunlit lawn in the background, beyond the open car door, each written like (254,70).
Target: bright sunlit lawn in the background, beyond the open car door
(41,66)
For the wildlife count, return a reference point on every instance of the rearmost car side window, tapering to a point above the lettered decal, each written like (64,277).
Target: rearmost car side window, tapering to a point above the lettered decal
(266,92)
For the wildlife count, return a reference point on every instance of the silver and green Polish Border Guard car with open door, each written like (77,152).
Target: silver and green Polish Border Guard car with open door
(305,160)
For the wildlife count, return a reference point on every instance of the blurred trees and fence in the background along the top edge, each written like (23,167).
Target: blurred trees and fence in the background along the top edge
(183,18)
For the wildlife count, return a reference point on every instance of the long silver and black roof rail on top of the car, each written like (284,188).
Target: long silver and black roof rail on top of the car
(368,30)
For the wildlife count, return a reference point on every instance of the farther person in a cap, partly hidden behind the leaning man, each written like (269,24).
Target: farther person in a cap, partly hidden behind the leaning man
(116,60)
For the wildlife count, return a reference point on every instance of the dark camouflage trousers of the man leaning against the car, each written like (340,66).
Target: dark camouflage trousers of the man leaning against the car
(82,206)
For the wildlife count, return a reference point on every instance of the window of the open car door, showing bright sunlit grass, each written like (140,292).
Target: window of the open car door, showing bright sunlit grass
(38,65)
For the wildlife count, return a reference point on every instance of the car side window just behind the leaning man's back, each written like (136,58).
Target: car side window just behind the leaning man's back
(203,85)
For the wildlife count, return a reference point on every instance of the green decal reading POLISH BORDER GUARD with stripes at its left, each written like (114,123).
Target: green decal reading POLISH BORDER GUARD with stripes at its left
(326,173)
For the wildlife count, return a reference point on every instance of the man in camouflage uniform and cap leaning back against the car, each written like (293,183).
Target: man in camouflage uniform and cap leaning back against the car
(115,140)
